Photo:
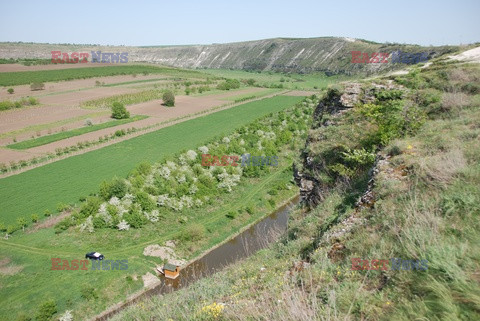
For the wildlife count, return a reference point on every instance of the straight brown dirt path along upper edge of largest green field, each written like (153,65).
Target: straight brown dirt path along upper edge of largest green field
(142,131)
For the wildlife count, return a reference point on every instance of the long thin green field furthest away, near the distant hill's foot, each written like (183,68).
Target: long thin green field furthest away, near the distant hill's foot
(28,77)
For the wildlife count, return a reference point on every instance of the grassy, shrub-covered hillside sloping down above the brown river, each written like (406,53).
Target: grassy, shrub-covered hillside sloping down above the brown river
(422,205)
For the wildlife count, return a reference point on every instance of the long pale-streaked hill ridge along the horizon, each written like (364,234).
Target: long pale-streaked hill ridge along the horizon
(331,55)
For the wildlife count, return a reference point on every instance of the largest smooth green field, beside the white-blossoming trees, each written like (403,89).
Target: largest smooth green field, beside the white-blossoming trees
(69,179)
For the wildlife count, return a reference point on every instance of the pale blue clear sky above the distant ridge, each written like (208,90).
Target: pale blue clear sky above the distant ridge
(153,23)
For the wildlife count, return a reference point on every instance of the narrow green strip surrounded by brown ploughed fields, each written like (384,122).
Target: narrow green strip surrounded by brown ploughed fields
(26,144)
